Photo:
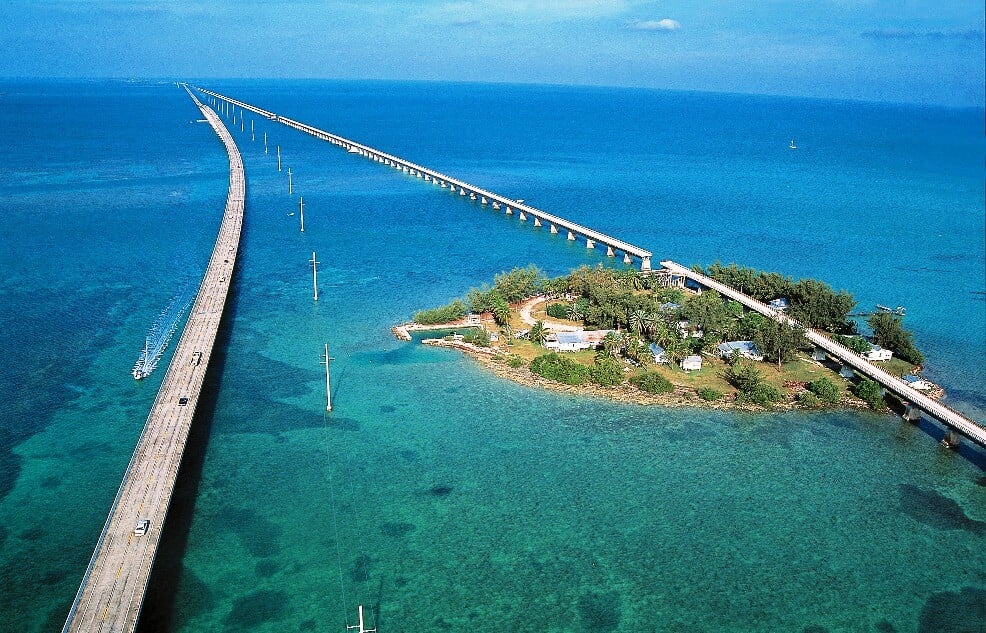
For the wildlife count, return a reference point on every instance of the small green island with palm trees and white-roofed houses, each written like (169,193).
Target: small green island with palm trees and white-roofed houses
(626,335)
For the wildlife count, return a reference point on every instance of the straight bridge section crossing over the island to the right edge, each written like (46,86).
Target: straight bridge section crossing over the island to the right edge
(914,400)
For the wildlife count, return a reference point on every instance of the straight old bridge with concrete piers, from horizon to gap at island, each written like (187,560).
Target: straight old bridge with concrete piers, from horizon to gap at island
(484,197)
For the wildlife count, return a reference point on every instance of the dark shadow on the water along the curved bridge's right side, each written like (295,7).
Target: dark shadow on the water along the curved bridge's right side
(158,614)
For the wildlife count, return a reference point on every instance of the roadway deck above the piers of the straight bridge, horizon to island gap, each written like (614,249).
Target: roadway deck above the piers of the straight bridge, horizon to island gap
(371,152)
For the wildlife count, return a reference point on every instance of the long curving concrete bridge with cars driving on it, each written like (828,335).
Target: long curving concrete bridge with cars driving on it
(114,584)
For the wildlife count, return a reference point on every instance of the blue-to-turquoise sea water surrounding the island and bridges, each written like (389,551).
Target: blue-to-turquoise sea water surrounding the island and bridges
(439,496)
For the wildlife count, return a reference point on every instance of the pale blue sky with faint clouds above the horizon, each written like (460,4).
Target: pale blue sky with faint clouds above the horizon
(919,51)
